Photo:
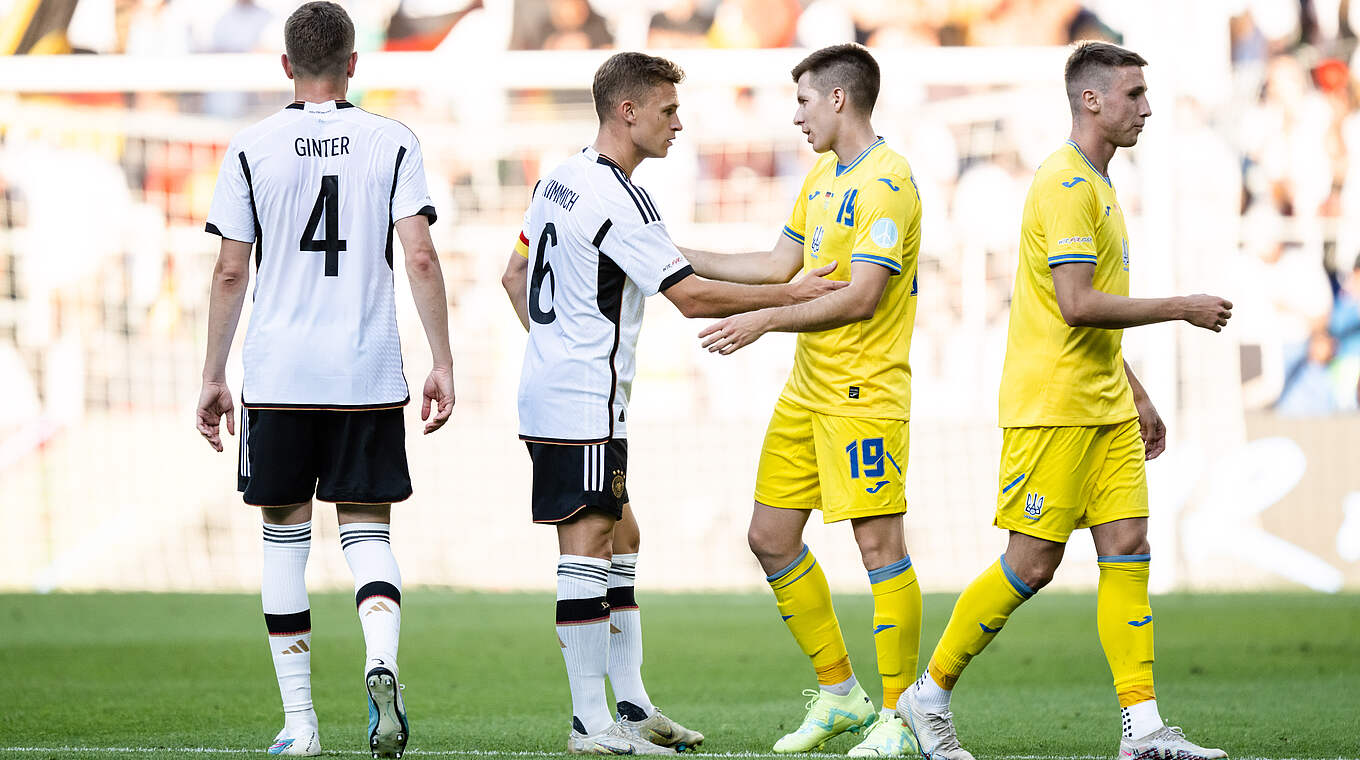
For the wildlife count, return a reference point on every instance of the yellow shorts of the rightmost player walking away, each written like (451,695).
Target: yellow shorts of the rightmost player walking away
(1059,479)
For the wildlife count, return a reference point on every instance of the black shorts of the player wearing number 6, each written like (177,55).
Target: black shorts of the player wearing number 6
(573,478)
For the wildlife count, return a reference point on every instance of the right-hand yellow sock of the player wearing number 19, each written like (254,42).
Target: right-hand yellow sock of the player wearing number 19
(897,626)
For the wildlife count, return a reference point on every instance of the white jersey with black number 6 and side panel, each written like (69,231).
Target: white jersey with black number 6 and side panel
(598,248)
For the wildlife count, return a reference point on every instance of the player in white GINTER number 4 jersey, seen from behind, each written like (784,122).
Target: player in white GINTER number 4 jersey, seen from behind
(318,190)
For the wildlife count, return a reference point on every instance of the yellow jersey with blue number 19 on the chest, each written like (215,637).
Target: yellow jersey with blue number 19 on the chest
(868,211)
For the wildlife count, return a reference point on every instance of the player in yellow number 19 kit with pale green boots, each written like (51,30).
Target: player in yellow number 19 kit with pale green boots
(838,437)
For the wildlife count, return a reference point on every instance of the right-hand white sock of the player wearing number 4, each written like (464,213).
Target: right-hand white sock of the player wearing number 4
(377,589)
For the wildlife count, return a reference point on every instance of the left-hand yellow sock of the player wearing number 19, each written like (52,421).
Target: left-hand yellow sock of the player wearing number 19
(804,602)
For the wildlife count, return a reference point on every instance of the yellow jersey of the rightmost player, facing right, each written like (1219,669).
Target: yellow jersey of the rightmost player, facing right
(1056,375)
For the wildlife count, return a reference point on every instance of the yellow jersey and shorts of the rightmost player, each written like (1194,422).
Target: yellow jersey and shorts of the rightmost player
(1072,456)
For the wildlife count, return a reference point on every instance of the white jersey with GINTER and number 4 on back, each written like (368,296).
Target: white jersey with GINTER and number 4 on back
(318,188)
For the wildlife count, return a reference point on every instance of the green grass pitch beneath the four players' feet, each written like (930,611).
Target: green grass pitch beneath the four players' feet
(1260,675)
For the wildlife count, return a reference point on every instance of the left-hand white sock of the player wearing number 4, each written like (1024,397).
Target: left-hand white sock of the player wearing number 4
(288,615)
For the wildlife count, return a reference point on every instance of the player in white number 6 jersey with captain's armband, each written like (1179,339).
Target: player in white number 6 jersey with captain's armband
(592,249)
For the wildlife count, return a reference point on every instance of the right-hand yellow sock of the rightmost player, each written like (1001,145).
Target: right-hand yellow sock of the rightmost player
(1124,621)
